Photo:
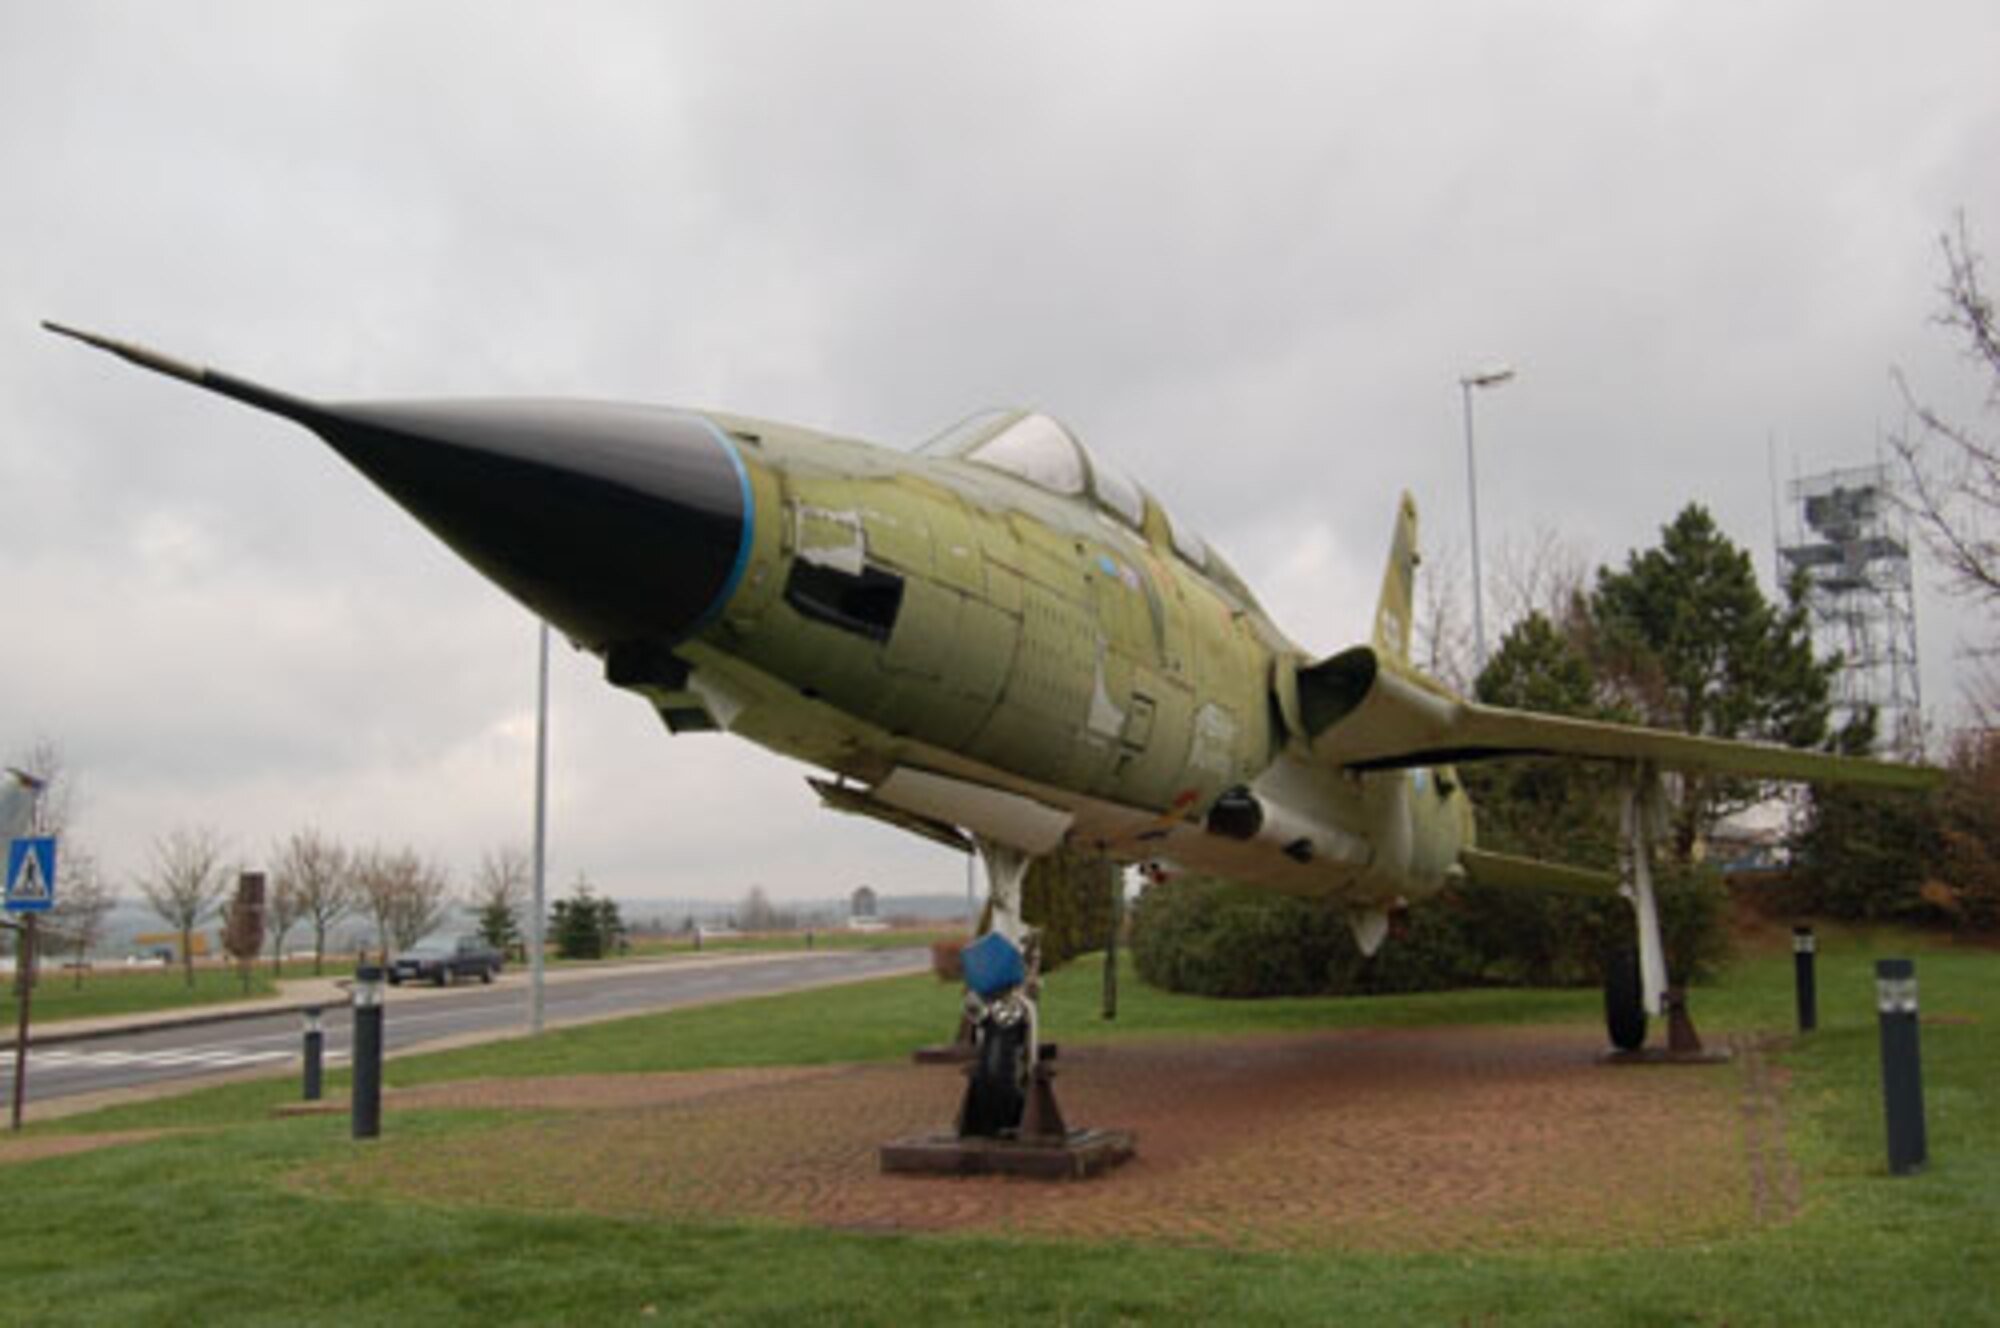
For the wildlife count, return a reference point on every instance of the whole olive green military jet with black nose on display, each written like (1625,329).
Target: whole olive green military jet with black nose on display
(997,639)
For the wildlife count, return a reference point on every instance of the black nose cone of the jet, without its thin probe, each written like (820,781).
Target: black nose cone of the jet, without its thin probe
(613,523)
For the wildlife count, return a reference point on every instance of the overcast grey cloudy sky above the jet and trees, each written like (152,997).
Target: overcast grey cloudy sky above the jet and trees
(1245,249)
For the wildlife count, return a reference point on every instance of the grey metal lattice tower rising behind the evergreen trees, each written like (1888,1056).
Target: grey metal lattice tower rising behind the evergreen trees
(1851,541)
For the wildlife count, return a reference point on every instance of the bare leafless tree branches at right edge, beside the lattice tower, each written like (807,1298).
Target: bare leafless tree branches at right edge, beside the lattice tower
(1955,469)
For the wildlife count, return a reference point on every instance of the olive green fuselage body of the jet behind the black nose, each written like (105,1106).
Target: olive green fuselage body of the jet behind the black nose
(925,613)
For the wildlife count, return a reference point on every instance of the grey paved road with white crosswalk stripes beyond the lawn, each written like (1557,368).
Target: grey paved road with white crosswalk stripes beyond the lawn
(137,1059)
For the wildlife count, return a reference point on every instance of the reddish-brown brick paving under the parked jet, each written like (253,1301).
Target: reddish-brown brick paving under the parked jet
(1359,1139)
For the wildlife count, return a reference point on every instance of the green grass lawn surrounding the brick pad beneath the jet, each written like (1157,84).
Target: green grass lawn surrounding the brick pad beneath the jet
(199,1227)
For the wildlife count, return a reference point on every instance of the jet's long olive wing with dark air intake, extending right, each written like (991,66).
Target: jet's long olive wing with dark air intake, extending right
(1367,715)
